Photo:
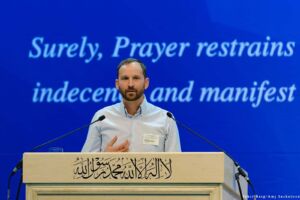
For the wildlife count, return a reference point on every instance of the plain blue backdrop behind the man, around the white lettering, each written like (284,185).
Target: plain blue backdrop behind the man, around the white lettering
(265,140)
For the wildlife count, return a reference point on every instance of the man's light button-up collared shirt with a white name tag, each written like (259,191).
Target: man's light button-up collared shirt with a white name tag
(149,130)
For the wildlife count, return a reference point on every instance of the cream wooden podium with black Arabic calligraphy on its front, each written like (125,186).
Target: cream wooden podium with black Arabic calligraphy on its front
(130,176)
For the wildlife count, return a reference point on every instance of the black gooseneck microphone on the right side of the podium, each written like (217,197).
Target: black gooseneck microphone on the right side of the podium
(240,170)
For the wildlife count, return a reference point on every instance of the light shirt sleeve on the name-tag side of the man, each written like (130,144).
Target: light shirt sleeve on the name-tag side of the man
(172,143)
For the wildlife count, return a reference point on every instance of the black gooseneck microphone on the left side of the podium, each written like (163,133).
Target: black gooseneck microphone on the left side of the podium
(19,165)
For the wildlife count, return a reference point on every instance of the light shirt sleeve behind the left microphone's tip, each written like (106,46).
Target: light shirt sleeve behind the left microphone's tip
(93,140)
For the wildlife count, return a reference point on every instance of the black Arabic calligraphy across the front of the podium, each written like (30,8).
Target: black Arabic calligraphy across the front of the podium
(122,168)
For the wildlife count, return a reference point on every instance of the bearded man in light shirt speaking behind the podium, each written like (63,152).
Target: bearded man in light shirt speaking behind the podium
(133,125)
